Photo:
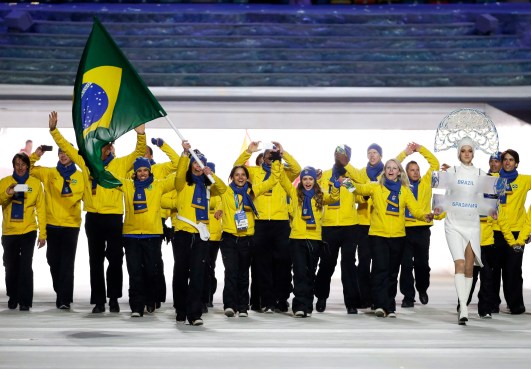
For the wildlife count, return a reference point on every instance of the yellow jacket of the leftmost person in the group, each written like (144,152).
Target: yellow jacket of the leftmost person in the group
(33,205)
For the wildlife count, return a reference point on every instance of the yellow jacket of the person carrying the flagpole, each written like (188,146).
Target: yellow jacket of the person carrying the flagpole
(185,194)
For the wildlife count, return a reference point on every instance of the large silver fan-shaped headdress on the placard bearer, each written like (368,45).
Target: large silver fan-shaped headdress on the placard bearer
(472,123)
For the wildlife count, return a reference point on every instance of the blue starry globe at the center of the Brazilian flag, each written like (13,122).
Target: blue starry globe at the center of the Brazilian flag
(94,103)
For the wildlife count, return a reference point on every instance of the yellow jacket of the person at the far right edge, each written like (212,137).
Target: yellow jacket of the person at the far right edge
(514,208)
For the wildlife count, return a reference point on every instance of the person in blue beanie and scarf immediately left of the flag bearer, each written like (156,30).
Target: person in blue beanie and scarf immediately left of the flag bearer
(142,232)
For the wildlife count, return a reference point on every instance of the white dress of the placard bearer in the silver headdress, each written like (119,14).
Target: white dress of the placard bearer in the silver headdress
(462,223)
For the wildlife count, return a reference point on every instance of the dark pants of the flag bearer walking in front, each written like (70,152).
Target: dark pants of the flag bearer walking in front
(190,255)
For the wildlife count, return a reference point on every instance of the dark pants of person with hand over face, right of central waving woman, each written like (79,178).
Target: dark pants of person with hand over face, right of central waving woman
(334,239)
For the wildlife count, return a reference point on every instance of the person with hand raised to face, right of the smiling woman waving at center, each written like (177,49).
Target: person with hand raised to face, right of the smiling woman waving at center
(339,232)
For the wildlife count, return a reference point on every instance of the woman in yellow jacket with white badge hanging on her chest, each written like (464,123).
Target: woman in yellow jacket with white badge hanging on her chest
(238,224)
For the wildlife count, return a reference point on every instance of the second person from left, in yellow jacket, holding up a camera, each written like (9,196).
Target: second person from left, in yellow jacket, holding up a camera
(63,190)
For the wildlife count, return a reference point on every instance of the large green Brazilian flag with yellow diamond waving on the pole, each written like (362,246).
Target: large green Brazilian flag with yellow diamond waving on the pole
(110,99)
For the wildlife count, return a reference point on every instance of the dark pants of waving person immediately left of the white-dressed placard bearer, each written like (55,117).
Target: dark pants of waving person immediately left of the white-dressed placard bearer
(416,257)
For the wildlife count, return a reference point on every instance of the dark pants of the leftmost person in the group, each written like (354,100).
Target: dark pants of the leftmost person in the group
(18,258)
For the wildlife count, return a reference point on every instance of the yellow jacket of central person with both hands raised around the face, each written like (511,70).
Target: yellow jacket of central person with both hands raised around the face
(272,205)
